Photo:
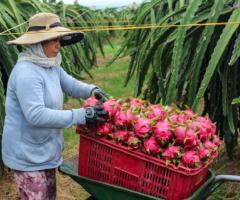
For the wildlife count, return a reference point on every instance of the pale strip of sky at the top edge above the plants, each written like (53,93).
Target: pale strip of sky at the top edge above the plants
(104,3)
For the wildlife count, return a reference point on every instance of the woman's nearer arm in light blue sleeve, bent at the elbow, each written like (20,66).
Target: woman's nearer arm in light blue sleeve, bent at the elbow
(30,94)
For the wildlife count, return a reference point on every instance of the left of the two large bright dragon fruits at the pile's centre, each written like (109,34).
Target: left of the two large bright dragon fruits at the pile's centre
(142,127)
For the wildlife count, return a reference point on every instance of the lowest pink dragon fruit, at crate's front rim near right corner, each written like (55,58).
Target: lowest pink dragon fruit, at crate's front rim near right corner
(191,159)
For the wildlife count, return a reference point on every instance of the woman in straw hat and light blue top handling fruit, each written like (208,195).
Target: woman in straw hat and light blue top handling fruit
(32,141)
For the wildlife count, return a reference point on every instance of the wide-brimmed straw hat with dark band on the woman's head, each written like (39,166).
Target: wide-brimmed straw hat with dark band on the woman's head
(47,26)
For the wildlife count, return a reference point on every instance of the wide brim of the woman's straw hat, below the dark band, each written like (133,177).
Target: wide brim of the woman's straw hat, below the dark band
(67,36)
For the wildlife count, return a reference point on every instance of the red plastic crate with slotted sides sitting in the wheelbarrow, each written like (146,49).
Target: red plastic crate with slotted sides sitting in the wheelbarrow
(106,161)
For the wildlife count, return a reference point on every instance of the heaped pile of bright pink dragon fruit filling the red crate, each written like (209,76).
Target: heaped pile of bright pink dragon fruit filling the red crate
(179,137)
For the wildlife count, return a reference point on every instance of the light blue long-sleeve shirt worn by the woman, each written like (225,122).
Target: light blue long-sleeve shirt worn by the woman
(32,137)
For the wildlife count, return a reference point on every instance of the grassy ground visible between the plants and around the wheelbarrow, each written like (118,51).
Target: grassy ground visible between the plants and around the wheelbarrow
(111,79)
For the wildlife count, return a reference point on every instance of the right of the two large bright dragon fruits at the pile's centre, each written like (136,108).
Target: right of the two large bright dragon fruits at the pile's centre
(162,132)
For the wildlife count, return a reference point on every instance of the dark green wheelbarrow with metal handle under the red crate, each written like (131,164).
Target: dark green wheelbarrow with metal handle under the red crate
(103,191)
